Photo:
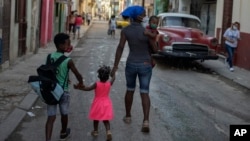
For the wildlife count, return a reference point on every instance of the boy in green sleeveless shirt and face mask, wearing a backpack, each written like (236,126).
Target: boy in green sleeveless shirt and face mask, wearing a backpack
(62,43)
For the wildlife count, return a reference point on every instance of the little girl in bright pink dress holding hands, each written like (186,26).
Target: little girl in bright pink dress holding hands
(101,108)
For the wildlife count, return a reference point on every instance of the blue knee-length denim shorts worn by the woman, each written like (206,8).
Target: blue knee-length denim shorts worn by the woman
(144,73)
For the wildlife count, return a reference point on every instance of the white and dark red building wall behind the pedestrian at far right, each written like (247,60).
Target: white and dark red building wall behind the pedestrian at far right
(229,11)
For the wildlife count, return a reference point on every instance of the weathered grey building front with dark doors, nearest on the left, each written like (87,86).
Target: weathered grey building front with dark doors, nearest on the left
(19,29)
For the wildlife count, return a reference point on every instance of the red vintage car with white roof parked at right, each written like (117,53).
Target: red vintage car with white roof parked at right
(180,37)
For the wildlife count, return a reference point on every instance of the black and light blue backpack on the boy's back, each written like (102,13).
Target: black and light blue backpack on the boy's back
(46,84)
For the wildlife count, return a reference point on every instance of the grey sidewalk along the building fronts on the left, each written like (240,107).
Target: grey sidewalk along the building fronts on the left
(16,96)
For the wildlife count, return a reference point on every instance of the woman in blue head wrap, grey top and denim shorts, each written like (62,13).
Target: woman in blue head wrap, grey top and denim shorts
(138,62)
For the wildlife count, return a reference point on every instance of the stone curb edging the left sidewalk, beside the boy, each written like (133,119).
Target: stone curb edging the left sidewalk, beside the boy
(8,126)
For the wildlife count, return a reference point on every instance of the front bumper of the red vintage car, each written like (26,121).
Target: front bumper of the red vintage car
(190,55)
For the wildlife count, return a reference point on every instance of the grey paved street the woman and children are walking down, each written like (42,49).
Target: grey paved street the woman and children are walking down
(187,104)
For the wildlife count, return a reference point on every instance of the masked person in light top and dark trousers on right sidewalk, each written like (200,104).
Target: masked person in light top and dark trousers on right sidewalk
(231,36)
